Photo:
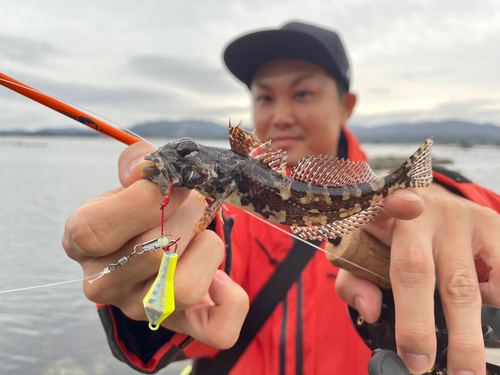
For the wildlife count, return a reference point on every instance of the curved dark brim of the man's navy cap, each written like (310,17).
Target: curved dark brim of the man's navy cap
(246,55)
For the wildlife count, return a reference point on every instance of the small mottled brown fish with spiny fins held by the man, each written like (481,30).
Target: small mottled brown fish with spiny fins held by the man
(322,197)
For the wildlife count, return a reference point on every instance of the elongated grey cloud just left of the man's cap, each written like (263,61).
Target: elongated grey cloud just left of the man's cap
(192,74)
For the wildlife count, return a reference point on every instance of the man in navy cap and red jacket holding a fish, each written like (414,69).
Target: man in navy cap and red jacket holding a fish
(299,79)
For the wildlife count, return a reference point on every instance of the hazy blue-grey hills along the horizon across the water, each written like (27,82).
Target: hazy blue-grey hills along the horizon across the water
(465,133)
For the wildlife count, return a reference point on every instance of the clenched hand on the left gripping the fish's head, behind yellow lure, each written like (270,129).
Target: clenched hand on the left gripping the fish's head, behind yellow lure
(209,306)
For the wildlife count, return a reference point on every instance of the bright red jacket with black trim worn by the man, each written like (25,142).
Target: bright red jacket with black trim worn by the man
(310,328)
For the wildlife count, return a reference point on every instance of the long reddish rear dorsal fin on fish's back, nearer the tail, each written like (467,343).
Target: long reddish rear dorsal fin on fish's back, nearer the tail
(328,171)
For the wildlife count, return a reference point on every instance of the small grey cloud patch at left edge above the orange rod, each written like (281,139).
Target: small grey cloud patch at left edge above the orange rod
(24,50)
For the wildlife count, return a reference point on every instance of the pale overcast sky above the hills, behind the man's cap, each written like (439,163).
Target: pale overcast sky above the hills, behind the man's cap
(138,61)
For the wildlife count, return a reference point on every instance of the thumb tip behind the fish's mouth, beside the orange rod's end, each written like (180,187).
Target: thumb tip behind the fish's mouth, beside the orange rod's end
(131,162)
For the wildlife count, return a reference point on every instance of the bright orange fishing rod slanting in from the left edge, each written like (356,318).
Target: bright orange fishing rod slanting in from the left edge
(68,110)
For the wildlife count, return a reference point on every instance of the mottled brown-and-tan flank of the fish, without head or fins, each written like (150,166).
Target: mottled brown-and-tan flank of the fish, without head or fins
(284,200)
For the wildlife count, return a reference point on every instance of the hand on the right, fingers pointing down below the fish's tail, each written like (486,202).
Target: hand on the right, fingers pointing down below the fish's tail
(433,234)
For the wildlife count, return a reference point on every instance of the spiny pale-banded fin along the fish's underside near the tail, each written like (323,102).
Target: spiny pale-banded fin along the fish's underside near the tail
(337,228)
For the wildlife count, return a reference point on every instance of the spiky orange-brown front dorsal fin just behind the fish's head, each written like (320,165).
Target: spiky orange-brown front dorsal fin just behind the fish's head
(247,143)
